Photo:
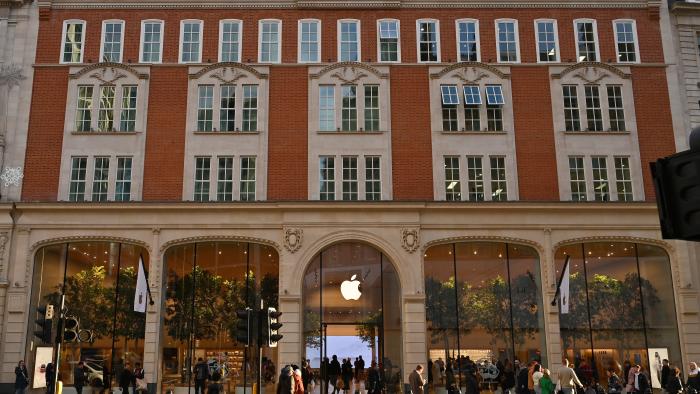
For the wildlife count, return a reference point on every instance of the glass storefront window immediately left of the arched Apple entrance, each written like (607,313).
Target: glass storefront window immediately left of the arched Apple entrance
(205,283)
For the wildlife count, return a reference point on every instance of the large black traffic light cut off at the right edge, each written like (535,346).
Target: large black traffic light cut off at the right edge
(677,183)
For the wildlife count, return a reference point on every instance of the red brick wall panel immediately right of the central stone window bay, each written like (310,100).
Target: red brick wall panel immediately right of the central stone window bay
(411,146)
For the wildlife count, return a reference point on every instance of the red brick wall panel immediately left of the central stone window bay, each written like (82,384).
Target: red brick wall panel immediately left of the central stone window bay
(287,141)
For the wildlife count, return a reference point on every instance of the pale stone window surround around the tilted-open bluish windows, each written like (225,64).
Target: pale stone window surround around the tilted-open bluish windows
(476,143)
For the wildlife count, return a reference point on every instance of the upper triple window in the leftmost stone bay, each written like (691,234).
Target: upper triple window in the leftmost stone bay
(116,108)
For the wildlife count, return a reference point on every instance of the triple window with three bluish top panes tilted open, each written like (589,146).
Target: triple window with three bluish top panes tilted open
(467,116)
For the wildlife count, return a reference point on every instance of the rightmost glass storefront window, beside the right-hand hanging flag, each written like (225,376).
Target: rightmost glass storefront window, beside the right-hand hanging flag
(622,310)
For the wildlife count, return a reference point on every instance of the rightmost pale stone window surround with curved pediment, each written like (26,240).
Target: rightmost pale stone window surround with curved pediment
(592,143)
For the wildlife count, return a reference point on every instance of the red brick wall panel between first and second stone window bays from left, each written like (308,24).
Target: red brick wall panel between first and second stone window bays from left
(165,136)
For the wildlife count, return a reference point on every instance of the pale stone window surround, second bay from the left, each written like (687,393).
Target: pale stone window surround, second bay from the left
(227,143)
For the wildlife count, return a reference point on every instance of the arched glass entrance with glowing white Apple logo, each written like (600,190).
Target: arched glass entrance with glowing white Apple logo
(352,310)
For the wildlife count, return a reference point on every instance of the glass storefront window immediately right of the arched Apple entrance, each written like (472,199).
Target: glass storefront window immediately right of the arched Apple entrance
(483,311)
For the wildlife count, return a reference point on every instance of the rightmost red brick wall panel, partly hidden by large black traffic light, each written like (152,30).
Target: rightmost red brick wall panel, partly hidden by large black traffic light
(654,123)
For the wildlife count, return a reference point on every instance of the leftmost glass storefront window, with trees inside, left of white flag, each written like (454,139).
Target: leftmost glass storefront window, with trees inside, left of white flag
(98,280)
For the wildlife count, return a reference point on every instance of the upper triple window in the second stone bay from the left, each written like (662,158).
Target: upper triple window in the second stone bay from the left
(217,106)
